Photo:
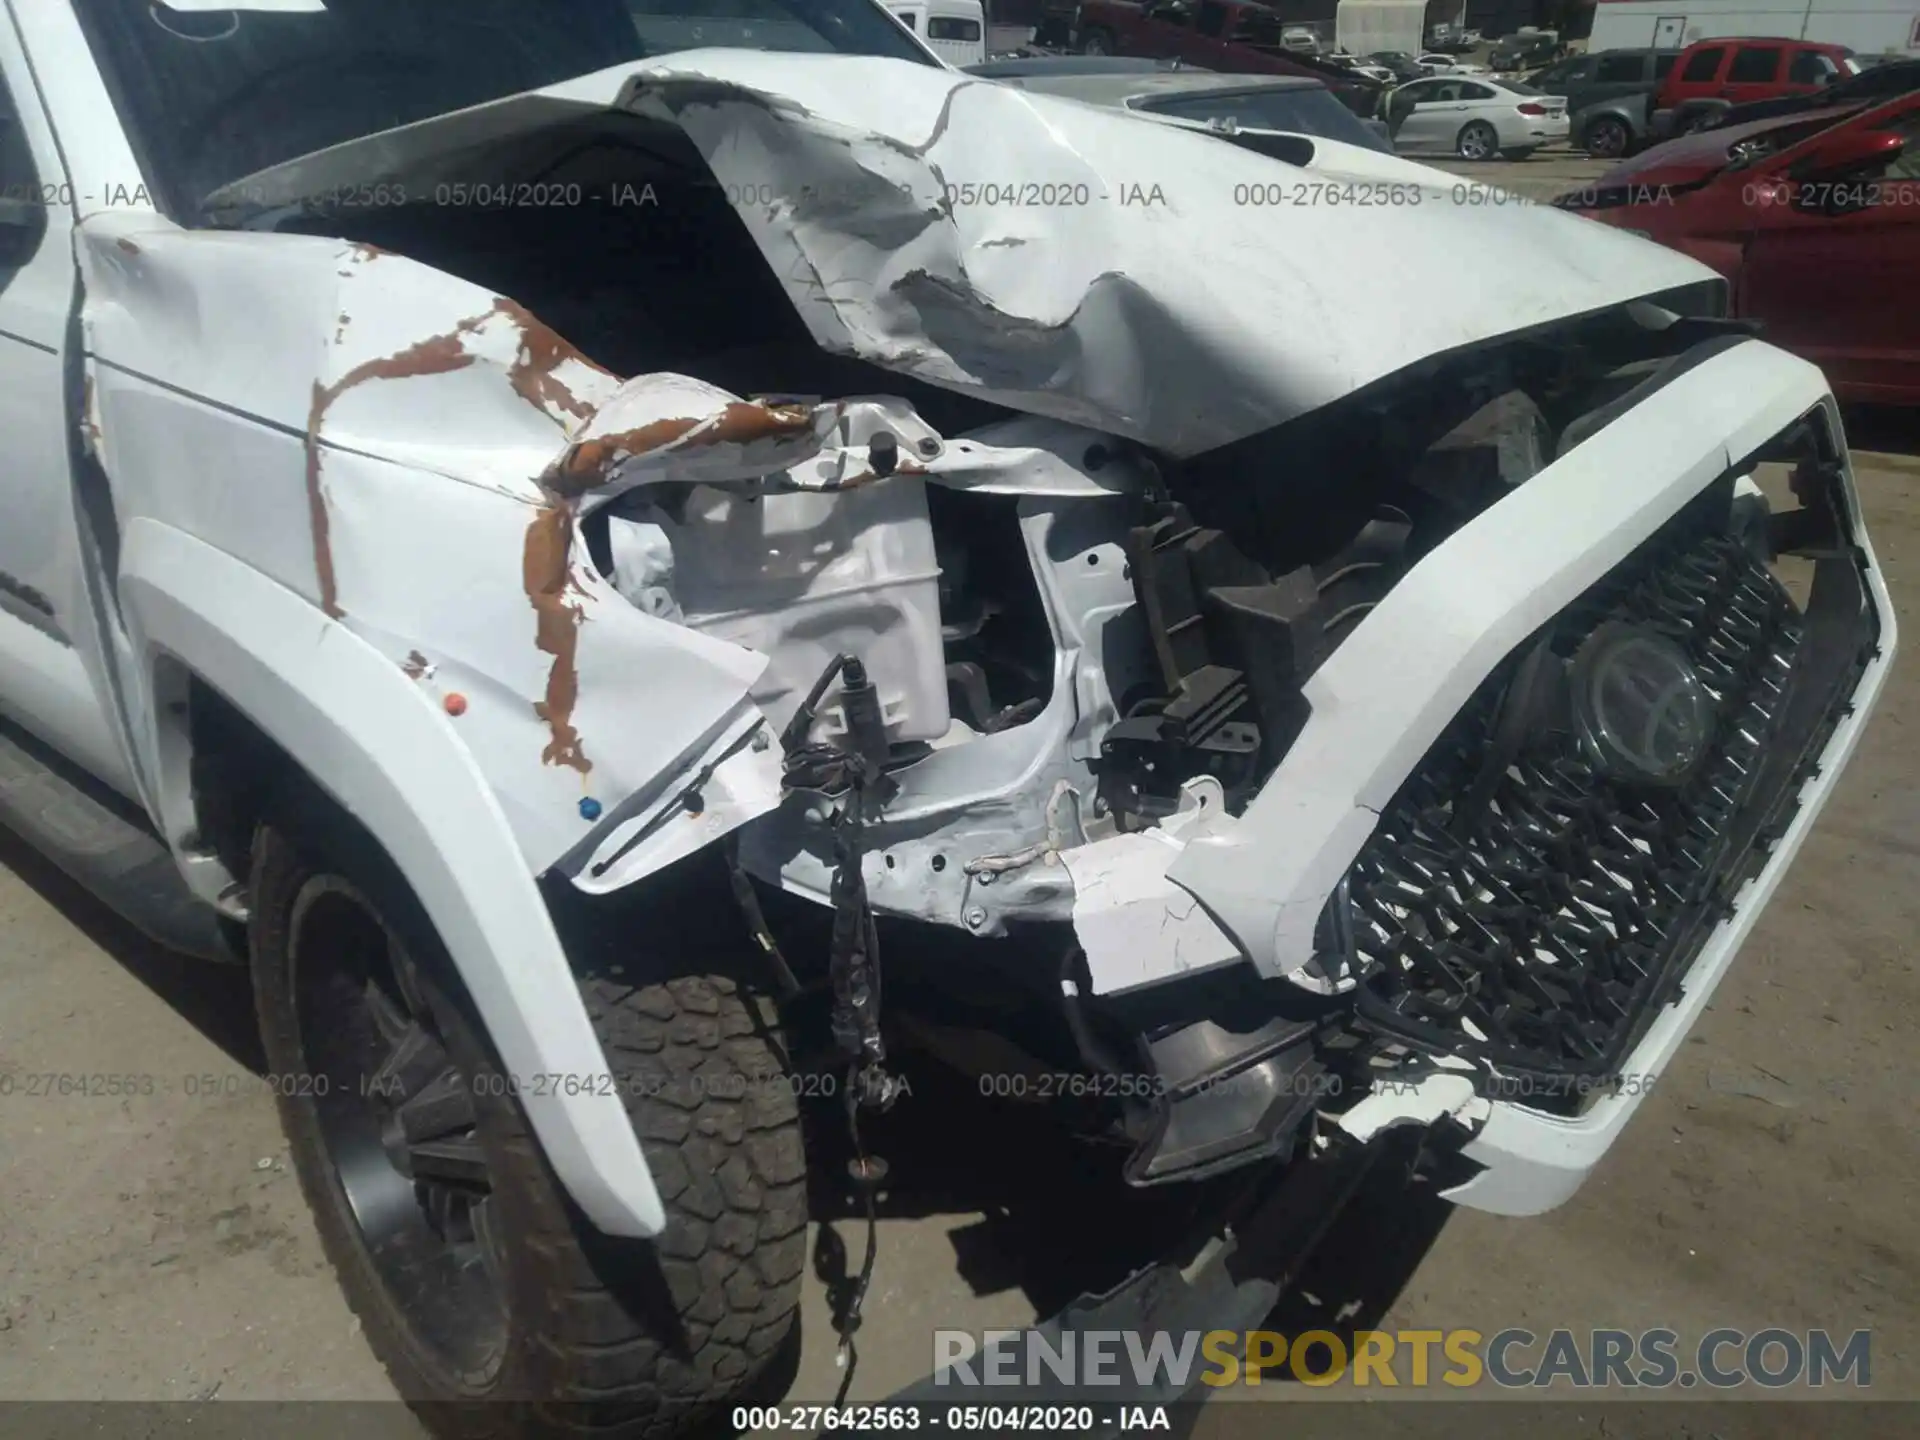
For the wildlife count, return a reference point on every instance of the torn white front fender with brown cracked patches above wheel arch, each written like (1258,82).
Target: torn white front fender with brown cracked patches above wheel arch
(385,433)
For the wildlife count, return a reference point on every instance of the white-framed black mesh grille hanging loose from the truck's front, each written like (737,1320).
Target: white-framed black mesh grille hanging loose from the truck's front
(1525,999)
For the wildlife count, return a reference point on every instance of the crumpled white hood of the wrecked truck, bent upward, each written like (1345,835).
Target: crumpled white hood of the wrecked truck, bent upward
(1070,260)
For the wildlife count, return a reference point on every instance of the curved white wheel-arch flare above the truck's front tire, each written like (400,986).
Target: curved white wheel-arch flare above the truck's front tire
(370,736)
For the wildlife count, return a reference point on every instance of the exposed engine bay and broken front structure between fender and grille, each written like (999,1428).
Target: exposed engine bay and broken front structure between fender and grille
(1028,660)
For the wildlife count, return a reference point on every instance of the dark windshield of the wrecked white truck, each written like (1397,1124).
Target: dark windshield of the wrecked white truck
(214,95)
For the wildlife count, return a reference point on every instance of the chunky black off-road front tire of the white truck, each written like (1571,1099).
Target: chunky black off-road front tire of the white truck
(615,1337)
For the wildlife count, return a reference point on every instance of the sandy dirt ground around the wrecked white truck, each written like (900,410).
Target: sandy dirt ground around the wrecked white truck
(158,1249)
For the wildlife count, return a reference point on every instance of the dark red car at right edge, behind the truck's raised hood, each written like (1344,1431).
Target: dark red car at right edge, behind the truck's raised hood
(1813,218)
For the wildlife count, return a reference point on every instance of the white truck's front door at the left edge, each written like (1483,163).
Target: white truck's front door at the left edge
(49,654)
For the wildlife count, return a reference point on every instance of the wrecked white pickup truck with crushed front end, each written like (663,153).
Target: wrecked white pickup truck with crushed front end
(1017,540)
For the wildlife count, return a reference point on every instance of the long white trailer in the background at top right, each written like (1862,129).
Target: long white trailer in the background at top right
(1869,28)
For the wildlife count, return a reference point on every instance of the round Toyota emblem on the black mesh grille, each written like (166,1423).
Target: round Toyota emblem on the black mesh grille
(1641,706)
